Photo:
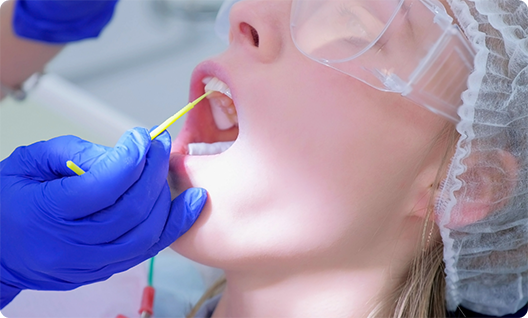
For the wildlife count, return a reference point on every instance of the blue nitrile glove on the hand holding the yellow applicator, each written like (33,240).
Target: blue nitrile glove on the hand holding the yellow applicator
(59,231)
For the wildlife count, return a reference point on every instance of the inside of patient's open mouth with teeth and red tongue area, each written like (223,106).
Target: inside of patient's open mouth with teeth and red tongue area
(212,128)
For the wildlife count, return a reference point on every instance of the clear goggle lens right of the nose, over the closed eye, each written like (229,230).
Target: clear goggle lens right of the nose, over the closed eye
(334,30)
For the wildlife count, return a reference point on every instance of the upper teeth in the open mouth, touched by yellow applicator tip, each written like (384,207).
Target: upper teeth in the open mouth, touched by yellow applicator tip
(222,107)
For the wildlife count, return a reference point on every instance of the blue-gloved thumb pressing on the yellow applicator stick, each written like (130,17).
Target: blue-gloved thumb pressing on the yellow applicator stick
(102,185)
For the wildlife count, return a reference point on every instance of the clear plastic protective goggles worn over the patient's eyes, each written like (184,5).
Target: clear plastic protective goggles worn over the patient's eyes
(410,47)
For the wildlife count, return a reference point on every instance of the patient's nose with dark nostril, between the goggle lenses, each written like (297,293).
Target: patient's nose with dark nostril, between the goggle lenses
(261,27)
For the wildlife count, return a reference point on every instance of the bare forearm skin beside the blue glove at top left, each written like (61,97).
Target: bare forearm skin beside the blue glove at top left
(20,58)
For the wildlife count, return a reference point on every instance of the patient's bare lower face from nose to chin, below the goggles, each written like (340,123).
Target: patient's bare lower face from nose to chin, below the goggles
(323,166)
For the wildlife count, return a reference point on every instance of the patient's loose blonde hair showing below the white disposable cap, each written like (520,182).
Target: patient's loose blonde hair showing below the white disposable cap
(422,293)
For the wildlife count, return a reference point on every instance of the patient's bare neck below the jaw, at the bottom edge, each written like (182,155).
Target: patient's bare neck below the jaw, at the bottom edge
(329,293)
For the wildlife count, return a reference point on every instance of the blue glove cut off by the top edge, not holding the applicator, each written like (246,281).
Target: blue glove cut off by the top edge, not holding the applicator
(61,21)
